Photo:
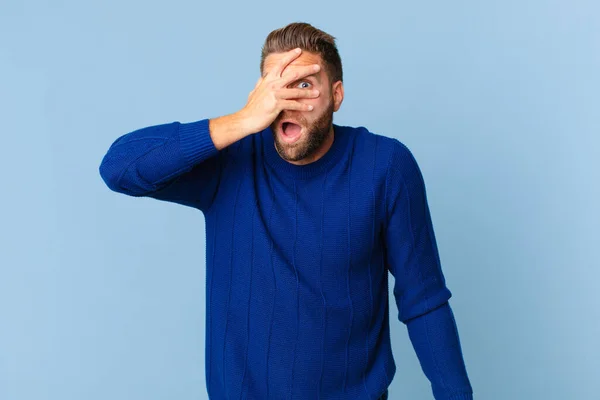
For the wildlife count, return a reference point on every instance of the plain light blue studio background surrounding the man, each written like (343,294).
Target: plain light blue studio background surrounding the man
(102,295)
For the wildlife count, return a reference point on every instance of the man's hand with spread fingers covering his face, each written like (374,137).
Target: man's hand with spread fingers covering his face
(271,94)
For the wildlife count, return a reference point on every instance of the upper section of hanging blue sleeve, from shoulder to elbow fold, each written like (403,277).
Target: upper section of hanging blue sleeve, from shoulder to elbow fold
(411,249)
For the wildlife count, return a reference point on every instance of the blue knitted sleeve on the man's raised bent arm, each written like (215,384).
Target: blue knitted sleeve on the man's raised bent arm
(175,162)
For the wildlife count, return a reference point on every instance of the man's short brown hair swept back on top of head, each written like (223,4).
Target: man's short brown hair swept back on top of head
(308,38)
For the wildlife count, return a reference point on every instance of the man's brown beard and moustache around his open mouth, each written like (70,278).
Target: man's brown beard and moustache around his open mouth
(315,134)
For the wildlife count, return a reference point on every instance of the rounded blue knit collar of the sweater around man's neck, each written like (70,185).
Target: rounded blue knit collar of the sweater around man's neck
(323,164)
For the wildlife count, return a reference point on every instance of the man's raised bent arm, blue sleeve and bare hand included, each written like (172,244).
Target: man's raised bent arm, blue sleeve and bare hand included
(182,163)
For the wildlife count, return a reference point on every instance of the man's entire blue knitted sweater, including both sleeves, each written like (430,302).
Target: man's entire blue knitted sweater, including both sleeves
(297,260)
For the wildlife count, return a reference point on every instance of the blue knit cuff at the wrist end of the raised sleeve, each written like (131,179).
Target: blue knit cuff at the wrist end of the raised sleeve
(196,142)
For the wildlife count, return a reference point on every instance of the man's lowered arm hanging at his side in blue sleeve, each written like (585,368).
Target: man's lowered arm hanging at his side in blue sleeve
(420,288)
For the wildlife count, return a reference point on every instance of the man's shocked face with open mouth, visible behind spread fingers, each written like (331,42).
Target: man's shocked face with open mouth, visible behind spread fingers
(316,130)
